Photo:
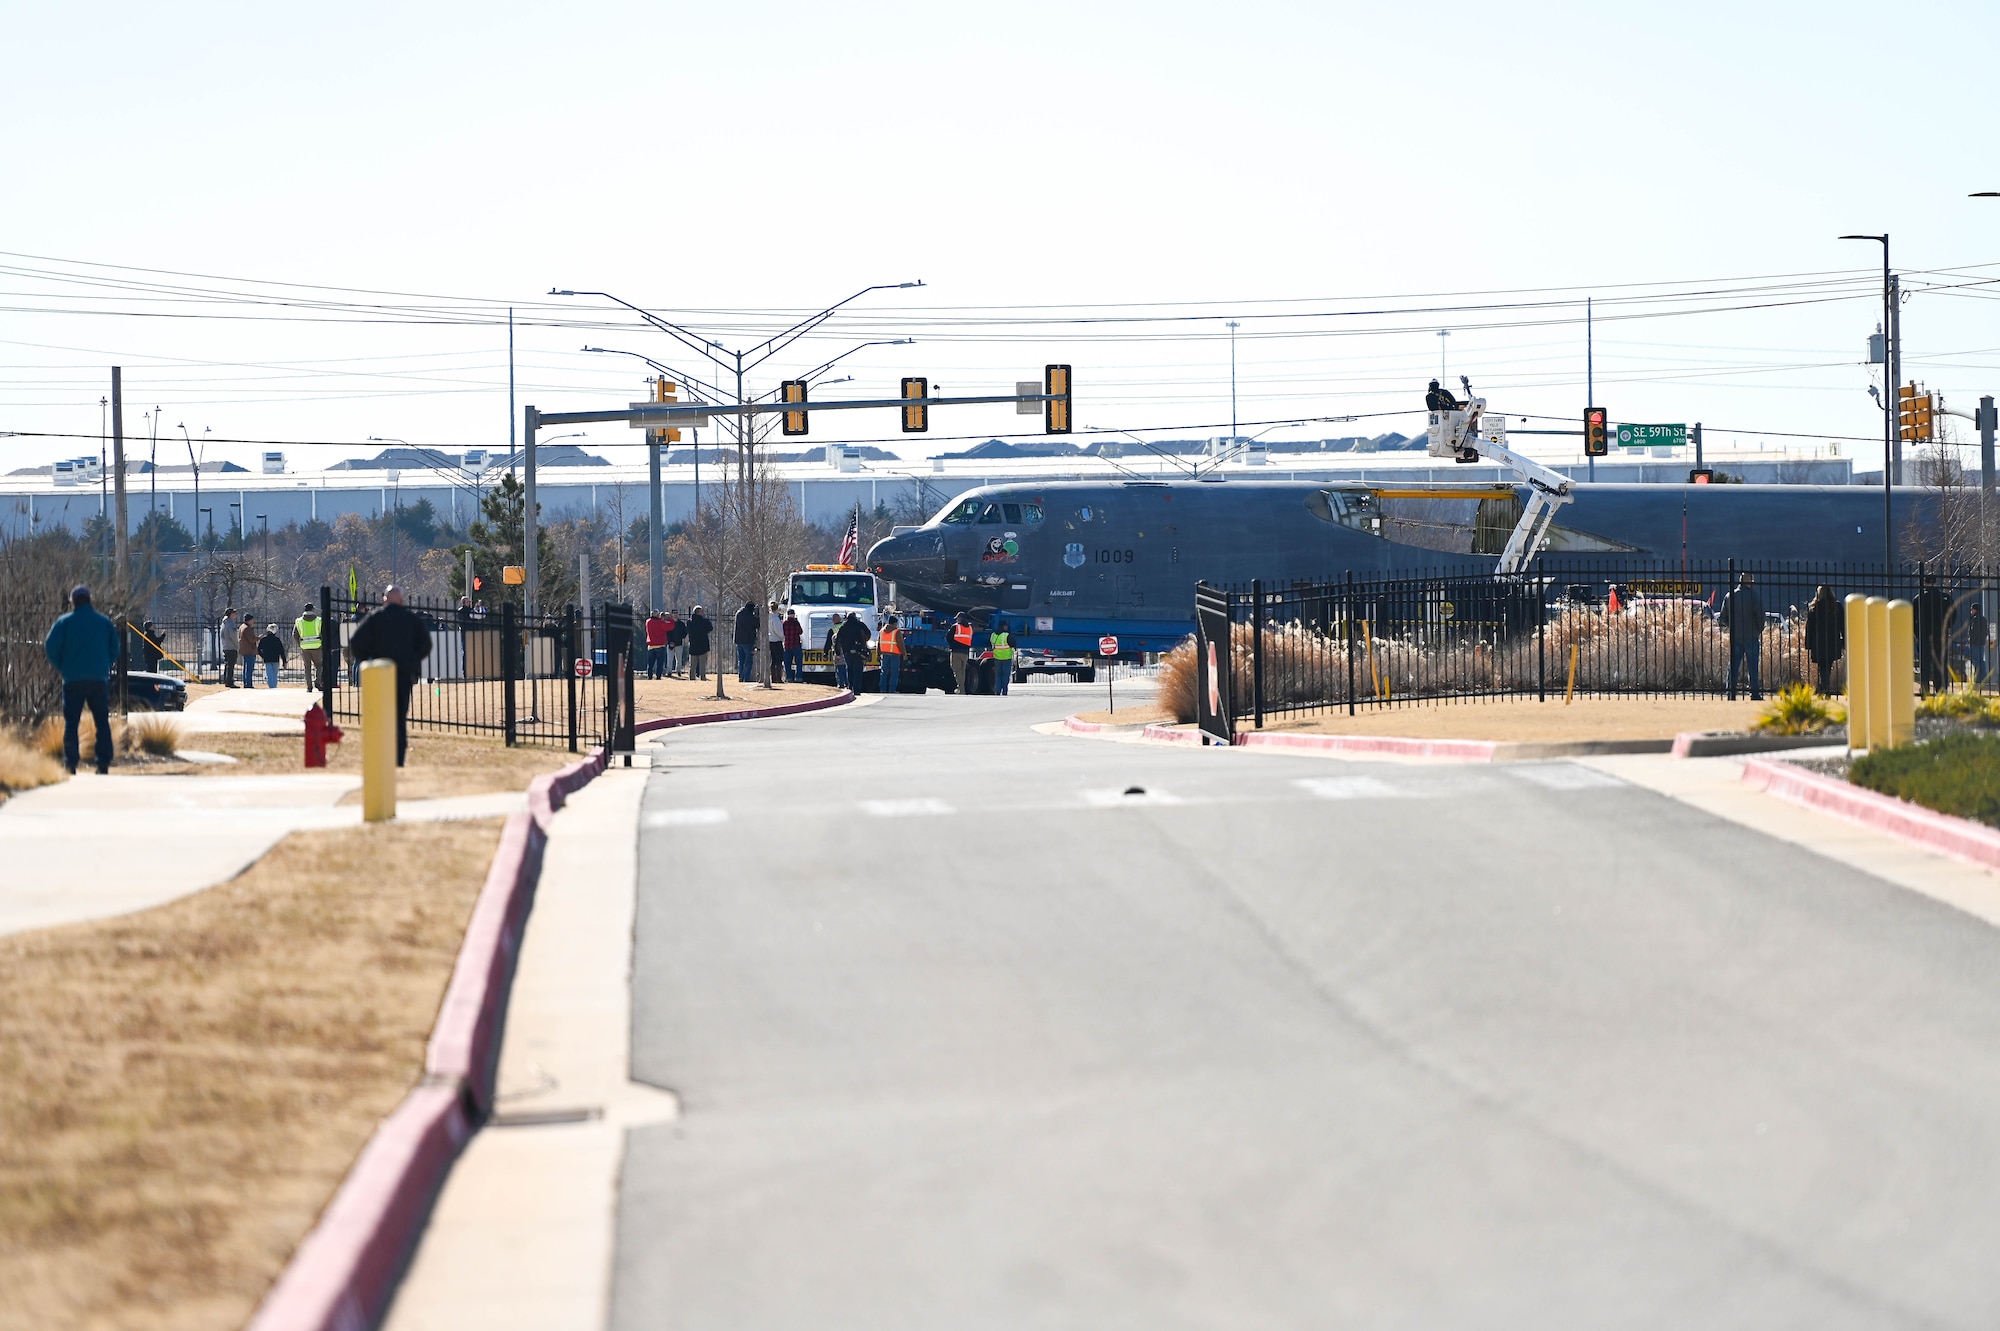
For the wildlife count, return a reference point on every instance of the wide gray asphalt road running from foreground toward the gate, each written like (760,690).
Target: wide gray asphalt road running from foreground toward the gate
(971,1038)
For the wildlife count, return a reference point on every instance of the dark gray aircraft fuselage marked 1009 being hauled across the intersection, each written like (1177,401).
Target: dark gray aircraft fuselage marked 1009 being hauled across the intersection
(1077,555)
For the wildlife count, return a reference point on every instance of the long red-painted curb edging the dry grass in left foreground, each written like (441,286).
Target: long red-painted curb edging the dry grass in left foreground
(345,1272)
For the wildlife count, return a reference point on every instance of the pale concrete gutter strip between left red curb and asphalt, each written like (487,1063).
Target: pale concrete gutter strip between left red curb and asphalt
(523,1234)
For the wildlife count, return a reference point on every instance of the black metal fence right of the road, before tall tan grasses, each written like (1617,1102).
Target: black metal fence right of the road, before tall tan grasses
(1613,629)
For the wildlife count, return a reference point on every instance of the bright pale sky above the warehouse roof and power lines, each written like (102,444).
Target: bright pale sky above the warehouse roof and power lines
(305,227)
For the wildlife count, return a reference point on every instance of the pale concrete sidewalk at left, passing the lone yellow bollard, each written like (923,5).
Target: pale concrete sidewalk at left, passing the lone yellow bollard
(101,846)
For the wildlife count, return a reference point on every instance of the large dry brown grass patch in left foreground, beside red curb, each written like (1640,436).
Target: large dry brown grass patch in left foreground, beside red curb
(183,1090)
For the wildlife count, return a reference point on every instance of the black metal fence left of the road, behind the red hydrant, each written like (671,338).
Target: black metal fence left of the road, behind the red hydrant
(553,678)
